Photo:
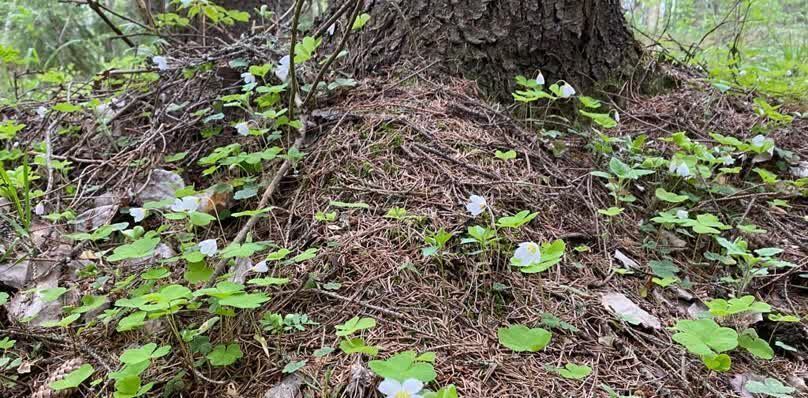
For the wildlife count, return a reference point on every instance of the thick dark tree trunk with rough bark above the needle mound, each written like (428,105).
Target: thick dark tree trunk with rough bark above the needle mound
(581,41)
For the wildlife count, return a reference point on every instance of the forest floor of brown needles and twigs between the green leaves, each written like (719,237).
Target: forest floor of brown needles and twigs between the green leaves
(424,146)
